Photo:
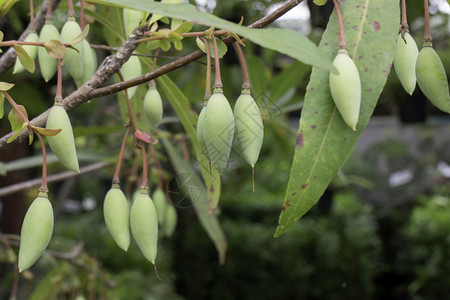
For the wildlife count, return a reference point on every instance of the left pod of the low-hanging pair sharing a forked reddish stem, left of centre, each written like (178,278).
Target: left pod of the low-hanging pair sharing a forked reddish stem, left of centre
(116,211)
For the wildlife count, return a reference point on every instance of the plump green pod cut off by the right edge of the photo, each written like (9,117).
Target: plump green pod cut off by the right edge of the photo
(432,79)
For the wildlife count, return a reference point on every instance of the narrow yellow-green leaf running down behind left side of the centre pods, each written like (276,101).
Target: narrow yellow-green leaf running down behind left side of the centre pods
(188,119)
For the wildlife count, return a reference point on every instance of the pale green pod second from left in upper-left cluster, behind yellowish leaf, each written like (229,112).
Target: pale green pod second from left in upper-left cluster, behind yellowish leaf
(48,65)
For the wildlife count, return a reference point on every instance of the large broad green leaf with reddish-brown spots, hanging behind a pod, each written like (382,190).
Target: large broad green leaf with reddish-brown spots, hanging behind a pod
(324,142)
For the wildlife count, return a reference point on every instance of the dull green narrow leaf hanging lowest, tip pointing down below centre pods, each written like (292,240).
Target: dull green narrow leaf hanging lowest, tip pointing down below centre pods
(194,188)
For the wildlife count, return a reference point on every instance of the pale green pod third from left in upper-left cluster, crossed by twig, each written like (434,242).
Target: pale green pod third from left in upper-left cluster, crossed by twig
(74,61)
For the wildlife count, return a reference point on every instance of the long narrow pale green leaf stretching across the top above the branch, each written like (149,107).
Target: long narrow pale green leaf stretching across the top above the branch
(284,41)
